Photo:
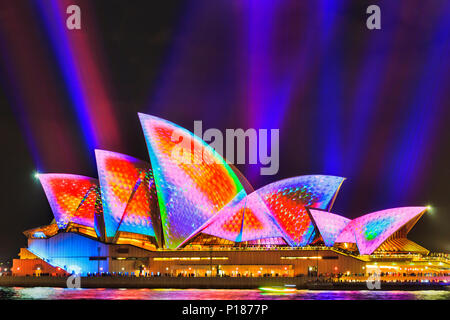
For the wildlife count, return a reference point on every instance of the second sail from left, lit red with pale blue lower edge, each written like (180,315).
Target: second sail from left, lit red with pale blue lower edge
(119,181)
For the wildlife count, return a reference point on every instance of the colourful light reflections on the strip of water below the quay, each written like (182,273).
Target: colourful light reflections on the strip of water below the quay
(40,293)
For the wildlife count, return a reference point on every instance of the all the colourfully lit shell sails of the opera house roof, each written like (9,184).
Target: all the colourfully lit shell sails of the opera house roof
(193,190)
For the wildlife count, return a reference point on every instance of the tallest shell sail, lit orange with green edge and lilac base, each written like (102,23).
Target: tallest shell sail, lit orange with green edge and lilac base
(192,180)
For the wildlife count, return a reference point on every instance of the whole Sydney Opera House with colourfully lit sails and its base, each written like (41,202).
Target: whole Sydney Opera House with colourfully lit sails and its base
(202,217)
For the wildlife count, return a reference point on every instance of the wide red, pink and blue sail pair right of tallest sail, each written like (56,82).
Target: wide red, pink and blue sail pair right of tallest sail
(259,214)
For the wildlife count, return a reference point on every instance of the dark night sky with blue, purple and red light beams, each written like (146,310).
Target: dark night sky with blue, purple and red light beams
(369,105)
